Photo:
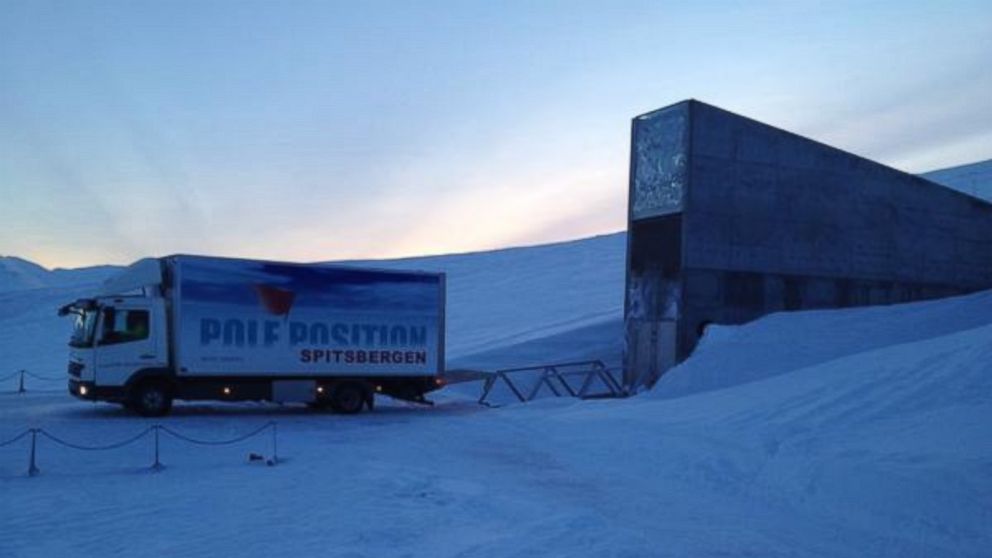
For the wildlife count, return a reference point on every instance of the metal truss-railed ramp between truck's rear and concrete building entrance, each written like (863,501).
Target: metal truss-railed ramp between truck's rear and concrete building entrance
(590,379)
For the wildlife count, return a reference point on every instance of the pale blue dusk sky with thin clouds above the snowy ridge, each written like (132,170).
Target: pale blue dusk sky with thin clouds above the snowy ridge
(329,130)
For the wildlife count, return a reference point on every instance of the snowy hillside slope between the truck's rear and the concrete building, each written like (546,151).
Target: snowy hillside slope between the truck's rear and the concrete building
(524,297)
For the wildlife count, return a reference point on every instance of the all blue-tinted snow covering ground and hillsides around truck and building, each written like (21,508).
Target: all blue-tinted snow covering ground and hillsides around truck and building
(857,432)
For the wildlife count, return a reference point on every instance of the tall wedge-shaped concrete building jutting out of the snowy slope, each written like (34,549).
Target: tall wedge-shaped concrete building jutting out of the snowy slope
(730,219)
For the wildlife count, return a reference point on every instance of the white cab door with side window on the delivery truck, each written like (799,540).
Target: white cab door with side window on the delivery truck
(128,341)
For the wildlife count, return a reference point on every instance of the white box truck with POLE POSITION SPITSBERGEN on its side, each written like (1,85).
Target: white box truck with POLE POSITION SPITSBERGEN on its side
(207,328)
